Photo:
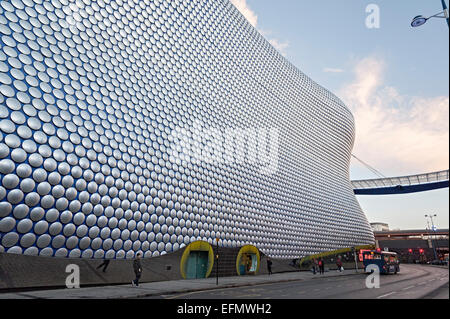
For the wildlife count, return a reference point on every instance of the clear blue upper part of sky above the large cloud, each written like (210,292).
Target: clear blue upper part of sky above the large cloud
(333,34)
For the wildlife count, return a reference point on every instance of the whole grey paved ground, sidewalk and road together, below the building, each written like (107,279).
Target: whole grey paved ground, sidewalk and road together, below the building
(414,281)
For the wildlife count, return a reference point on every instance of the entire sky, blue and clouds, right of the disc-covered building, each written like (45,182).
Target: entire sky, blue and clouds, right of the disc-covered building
(393,77)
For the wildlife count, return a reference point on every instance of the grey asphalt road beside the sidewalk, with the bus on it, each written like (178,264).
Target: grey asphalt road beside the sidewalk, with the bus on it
(413,282)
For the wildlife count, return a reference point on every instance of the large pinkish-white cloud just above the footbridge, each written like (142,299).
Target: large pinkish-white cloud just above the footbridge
(395,133)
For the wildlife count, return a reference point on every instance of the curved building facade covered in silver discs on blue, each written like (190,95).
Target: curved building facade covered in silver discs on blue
(142,126)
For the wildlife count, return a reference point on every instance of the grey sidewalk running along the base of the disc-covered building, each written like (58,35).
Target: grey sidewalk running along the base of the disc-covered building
(169,287)
